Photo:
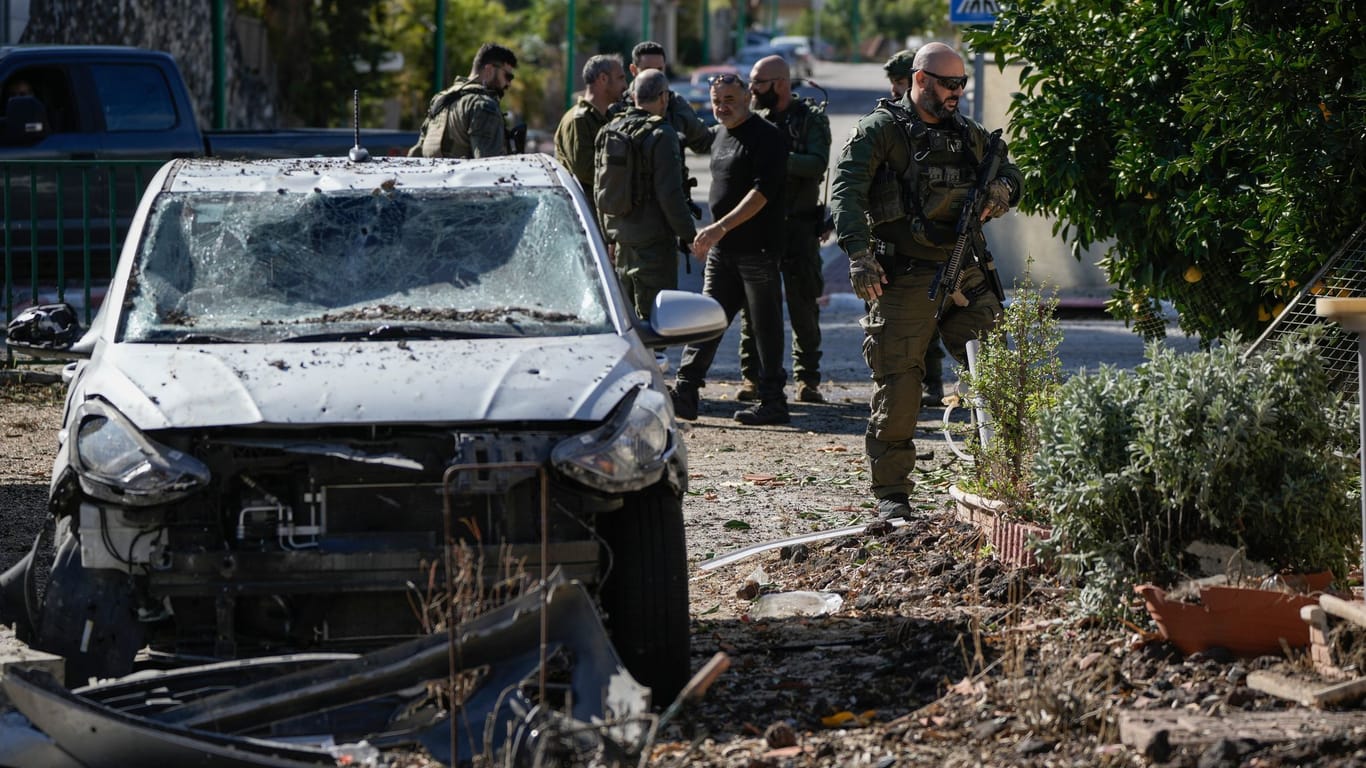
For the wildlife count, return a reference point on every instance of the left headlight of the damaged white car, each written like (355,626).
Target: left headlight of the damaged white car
(117,463)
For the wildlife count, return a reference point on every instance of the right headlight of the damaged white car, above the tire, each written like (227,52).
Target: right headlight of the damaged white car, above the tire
(629,453)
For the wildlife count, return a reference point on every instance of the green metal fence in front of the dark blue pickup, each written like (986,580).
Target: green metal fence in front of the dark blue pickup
(65,223)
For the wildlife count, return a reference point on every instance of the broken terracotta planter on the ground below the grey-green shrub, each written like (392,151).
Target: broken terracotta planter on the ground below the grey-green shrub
(1246,621)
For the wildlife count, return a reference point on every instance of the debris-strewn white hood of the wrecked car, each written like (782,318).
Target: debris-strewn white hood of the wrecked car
(487,381)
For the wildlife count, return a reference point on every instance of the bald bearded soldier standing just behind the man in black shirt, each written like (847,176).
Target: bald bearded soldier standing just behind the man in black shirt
(808,131)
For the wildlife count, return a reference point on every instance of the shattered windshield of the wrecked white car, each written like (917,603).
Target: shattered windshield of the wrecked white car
(256,267)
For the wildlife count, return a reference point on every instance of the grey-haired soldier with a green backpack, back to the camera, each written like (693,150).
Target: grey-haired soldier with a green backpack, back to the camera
(647,237)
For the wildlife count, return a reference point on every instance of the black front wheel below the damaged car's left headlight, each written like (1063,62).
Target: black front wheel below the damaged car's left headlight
(89,616)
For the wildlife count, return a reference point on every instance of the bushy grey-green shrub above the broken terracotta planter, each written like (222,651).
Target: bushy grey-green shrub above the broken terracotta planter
(1260,454)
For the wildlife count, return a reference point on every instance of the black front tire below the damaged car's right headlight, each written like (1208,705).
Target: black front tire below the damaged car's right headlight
(645,595)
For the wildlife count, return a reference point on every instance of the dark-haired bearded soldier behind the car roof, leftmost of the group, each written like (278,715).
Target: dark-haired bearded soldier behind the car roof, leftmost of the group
(465,121)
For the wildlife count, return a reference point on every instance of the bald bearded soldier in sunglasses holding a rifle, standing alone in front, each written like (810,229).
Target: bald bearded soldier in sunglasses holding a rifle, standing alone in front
(902,178)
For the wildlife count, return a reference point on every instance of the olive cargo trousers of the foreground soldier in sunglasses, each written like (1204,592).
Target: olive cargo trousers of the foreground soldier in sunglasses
(897,333)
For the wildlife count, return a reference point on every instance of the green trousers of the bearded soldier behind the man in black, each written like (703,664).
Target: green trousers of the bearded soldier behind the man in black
(803,285)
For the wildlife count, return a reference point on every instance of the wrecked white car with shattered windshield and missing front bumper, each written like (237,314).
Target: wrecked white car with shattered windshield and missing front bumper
(309,375)
